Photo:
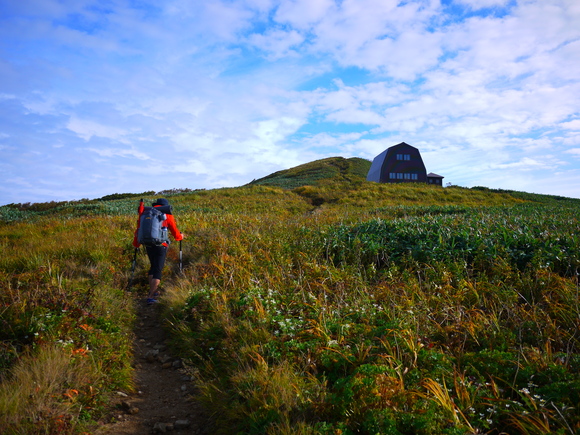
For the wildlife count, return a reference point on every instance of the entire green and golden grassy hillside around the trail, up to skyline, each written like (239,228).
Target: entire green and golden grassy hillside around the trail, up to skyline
(310,302)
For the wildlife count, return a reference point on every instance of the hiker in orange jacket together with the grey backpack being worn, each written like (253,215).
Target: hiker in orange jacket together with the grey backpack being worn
(151,231)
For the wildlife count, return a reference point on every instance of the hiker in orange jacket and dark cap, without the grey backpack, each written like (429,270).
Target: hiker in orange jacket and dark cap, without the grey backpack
(157,252)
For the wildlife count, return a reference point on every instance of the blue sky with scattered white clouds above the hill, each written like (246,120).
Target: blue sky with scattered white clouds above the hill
(100,97)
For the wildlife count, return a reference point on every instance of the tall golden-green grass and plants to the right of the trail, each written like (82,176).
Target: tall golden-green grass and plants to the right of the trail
(469,328)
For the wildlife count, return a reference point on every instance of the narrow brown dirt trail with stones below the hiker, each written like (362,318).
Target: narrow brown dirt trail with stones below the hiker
(164,399)
